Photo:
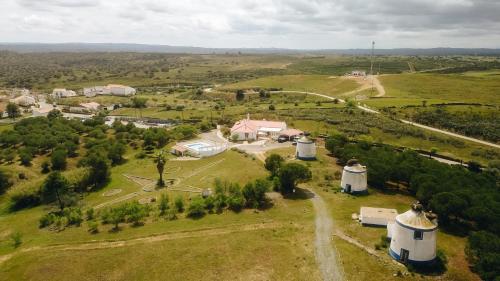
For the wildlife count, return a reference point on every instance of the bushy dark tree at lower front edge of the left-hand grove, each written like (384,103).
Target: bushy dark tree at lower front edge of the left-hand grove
(57,187)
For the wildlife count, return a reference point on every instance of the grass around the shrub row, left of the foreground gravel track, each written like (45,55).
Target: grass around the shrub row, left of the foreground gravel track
(269,244)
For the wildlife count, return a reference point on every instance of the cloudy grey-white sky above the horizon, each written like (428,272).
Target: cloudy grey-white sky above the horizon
(309,24)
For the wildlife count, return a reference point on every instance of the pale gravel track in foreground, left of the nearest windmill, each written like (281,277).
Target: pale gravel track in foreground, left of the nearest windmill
(325,252)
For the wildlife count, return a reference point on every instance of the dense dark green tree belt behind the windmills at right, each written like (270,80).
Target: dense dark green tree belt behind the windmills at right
(465,200)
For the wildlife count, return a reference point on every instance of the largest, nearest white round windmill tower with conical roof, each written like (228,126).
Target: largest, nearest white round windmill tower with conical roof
(413,238)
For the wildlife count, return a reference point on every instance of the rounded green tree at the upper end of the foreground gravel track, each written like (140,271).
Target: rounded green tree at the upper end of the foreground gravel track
(291,174)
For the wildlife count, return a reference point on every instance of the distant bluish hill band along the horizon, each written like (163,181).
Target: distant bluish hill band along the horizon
(145,48)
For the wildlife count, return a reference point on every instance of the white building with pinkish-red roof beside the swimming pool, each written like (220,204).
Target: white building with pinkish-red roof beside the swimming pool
(248,129)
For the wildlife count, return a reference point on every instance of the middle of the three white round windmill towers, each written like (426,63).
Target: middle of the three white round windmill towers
(354,178)
